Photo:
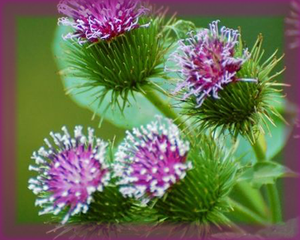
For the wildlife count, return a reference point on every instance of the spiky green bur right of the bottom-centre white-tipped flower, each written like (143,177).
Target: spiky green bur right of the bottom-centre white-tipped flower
(200,198)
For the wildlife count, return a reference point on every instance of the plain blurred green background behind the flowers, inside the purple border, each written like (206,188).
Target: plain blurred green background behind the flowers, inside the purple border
(42,105)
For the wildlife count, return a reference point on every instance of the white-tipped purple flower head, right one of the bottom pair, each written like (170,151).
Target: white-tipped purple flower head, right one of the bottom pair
(151,160)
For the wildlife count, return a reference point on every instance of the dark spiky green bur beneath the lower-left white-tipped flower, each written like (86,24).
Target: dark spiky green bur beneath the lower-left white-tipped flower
(110,214)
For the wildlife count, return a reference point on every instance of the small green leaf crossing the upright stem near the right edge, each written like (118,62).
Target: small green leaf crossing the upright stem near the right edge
(266,173)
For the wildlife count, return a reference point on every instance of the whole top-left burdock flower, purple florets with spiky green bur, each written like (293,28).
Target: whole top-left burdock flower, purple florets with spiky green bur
(117,51)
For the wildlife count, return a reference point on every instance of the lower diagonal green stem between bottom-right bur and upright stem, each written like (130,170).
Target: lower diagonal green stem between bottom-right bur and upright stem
(246,213)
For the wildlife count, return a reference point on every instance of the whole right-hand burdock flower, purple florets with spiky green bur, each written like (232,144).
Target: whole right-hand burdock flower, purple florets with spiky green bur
(225,88)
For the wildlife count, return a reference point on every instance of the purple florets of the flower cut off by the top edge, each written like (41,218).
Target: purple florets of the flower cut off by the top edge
(95,20)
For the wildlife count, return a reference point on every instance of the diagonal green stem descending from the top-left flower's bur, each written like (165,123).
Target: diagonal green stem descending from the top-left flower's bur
(164,107)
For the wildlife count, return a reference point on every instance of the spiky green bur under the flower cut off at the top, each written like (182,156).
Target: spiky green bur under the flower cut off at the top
(121,66)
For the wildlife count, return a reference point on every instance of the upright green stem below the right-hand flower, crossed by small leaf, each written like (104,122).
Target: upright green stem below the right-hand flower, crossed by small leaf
(272,192)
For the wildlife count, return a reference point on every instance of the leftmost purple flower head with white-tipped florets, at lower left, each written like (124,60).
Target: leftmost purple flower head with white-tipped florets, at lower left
(69,174)
